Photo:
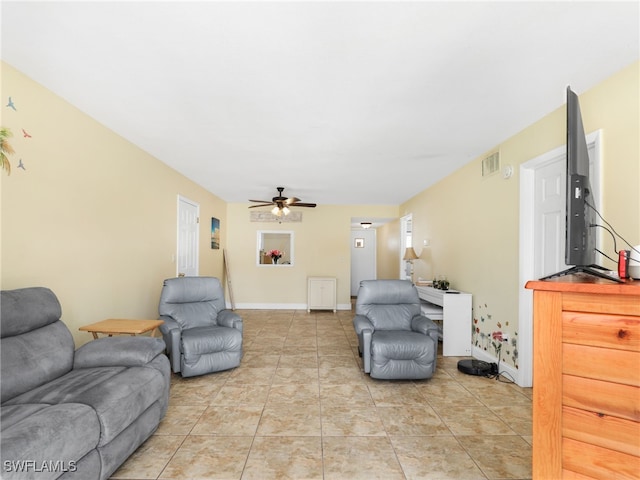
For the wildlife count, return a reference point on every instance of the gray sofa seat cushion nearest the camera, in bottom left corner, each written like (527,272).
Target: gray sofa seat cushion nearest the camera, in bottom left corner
(47,439)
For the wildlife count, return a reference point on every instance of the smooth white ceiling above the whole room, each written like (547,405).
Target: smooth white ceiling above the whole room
(339,102)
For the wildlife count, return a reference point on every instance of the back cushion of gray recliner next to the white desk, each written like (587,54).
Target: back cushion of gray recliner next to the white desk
(388,304)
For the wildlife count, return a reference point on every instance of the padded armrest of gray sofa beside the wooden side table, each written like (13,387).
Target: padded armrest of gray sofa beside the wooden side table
(118,351)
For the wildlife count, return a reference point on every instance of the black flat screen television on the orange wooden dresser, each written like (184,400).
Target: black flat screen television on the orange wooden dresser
(580,232)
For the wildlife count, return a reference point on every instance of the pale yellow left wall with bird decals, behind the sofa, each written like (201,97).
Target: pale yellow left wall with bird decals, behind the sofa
(92,217)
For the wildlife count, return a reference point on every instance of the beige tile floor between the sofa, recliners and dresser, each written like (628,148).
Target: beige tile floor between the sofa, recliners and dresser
(300,407)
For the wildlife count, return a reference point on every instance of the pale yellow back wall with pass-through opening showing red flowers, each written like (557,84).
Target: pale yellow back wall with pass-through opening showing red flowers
(322,248)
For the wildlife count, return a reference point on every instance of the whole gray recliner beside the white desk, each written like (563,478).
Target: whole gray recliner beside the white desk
(396,342)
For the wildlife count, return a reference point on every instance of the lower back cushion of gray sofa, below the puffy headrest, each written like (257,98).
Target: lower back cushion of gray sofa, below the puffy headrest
(34,358)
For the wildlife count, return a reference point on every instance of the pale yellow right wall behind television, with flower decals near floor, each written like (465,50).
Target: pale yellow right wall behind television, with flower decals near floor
(473,223)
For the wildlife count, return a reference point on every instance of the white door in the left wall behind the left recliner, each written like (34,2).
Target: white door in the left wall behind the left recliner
(188,221)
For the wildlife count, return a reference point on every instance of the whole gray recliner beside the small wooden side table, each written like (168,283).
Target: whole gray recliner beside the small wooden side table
(202,336)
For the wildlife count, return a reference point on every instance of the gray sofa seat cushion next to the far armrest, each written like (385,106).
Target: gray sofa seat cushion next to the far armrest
(119,395)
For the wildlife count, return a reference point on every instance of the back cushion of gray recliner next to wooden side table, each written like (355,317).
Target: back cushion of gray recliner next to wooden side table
(192,301)
